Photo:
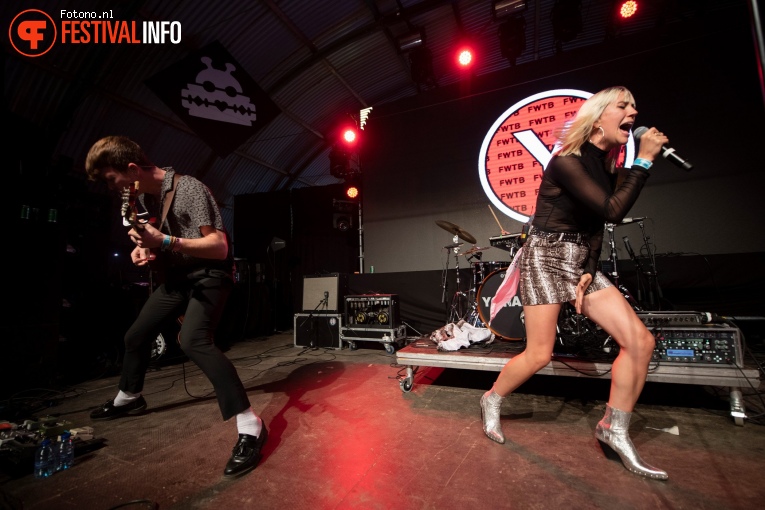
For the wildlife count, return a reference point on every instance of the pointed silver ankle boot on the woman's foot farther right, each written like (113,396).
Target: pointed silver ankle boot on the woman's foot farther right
(613,431)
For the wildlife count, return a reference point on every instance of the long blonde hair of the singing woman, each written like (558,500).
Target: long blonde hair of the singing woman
(580,130)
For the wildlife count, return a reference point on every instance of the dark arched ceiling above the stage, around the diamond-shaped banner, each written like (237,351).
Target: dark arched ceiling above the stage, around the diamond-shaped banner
(319,61)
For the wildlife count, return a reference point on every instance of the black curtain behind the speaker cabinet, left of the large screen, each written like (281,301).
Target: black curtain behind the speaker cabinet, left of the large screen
(303,219)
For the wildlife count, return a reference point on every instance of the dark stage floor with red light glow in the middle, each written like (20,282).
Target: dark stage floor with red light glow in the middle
(343,434)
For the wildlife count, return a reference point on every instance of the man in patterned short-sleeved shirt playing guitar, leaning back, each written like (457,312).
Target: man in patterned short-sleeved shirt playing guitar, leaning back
(192,246)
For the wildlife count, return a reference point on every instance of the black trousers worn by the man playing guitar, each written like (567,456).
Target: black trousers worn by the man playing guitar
(204,300)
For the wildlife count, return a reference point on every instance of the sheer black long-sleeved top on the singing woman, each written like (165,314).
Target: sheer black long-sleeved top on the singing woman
(578,194)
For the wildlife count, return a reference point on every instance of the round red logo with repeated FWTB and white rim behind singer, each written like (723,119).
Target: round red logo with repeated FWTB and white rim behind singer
(520,144)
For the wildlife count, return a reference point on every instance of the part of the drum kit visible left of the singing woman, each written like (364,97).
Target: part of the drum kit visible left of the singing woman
(473,305)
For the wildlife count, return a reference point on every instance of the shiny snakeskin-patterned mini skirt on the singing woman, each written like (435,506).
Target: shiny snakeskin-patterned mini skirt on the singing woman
(550,271)
